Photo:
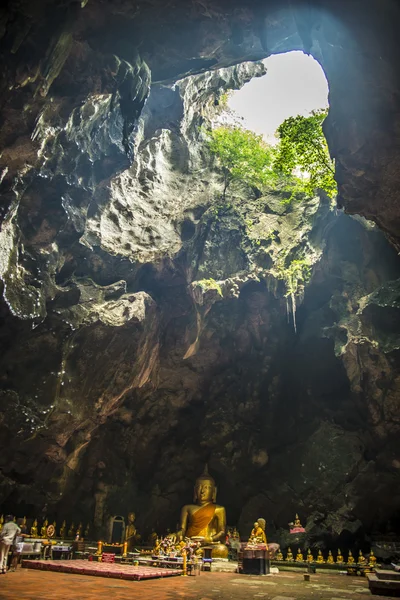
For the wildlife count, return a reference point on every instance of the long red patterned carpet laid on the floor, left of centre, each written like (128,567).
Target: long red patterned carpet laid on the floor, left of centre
(99,569)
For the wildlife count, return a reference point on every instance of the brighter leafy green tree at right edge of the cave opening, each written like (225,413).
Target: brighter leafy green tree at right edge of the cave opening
(302,156)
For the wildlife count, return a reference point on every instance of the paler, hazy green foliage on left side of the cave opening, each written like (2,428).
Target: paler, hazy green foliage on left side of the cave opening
(243,155)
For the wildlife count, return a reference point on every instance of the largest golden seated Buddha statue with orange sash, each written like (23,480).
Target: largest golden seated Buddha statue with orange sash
(204,521)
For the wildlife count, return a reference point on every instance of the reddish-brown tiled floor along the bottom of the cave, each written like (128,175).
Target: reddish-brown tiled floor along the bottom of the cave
(28,584)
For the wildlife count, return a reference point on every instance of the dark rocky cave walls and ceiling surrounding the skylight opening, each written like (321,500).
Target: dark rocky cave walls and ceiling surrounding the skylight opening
(121,372)
